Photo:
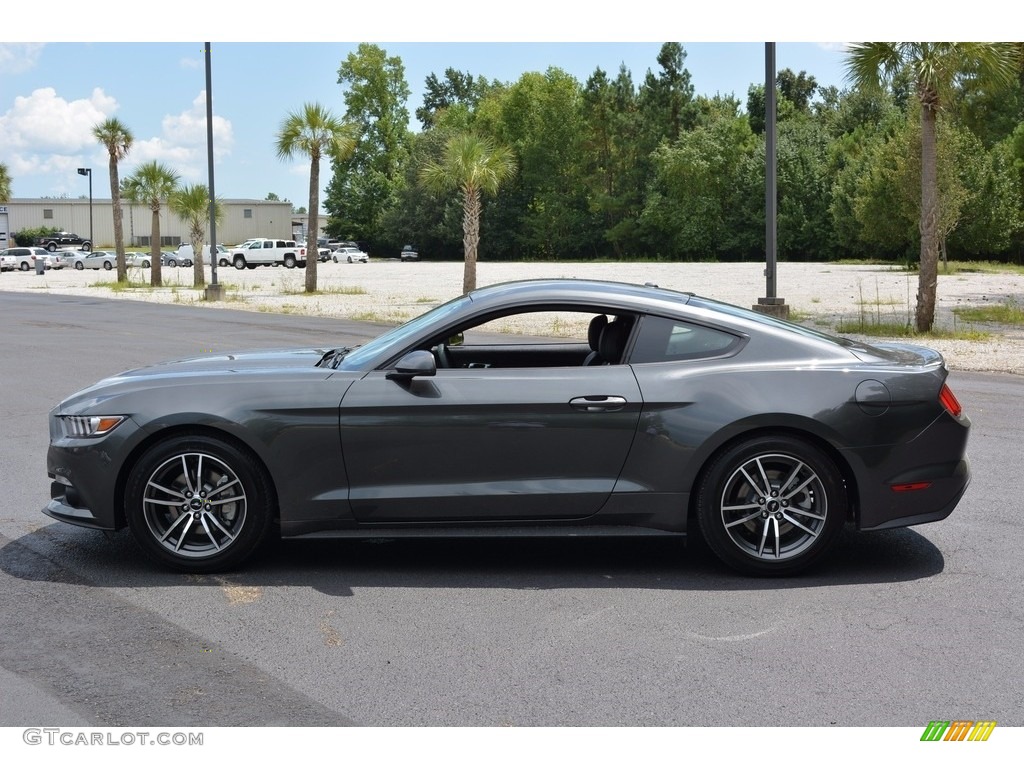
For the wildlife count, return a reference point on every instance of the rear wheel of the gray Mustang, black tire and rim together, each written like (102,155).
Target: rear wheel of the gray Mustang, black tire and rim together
(772,506)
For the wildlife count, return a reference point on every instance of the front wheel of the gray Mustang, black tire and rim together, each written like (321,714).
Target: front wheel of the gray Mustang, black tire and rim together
(199,504)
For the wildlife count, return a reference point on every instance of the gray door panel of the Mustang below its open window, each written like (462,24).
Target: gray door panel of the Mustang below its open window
(488,445)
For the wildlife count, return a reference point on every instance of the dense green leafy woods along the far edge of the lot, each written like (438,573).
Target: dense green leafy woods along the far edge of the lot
(619,169)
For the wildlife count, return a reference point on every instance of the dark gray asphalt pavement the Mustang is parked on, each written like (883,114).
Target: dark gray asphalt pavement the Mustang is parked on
(901,628)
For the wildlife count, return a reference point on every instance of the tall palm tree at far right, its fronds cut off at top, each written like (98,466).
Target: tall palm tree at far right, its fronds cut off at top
(935,70)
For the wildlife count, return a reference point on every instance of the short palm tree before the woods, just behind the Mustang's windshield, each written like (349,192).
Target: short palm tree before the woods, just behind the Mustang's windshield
(474,165)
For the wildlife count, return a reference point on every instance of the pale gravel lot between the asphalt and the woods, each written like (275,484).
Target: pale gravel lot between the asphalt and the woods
(391,292)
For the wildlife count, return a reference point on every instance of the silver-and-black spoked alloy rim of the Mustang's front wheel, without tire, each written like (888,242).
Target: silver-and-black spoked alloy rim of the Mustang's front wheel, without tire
(195,505)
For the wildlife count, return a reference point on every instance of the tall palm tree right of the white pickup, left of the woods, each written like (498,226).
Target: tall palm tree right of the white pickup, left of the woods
(314,132)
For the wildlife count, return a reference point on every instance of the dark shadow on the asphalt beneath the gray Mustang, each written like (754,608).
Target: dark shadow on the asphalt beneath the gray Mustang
(63,554)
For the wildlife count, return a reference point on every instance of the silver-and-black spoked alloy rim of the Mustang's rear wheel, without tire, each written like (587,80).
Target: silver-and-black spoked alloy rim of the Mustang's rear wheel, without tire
(774,507)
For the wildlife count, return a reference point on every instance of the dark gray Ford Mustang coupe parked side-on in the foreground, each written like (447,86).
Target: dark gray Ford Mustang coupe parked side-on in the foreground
(630,410)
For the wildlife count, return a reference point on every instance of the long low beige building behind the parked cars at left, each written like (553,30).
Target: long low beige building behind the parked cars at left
(242,220)
